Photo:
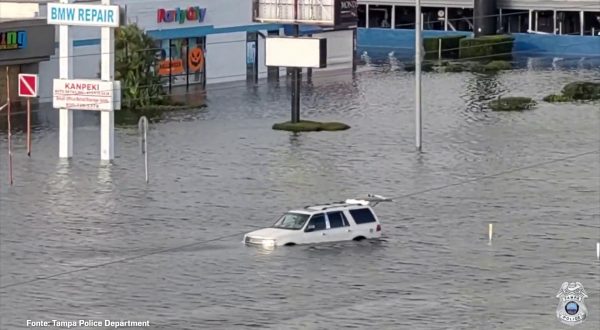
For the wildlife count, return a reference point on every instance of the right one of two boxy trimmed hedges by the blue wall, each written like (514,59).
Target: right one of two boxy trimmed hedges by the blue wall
(487,47)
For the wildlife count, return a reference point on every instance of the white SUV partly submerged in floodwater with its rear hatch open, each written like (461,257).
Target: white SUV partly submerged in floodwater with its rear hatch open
(352,219)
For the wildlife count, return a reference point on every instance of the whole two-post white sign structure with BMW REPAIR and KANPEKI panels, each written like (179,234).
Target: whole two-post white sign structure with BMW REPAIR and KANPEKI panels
(76,94)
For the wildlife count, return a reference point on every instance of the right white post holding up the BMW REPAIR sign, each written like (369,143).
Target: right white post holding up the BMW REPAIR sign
(107,118)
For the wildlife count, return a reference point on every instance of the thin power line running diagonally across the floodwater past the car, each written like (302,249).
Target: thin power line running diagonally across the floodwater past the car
(42,278)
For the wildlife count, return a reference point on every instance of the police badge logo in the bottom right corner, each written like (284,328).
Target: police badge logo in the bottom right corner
(571,309)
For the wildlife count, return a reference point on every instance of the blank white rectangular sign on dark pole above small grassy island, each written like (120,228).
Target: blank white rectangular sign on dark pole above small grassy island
(293,52)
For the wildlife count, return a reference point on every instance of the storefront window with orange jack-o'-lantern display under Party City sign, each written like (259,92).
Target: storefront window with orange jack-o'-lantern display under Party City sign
(181,62)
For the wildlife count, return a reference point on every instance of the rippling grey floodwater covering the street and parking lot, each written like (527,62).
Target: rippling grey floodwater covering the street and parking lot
(86,240)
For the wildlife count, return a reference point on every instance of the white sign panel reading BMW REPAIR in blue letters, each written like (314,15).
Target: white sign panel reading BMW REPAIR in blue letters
(82,14)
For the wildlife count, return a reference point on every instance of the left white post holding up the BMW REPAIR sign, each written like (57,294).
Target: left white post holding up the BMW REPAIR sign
(65,135)
